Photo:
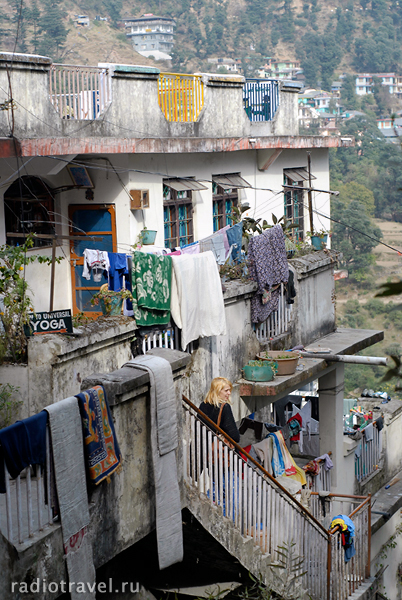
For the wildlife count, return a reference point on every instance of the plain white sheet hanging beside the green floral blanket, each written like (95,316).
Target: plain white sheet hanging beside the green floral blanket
(197,301)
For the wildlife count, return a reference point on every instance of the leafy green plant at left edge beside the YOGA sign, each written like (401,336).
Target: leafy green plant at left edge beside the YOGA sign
(16,305)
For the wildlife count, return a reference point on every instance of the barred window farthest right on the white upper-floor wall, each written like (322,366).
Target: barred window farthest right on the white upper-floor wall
(294,198)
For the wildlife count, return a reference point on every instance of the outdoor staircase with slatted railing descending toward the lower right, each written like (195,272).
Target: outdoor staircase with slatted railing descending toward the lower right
(253,517)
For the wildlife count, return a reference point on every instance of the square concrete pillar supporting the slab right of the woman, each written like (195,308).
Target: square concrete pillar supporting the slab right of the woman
(331,394)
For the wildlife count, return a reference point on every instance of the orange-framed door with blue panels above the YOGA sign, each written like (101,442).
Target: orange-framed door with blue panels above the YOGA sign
(99,222)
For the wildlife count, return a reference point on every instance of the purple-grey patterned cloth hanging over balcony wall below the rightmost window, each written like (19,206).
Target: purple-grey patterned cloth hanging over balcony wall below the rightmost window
(268,266)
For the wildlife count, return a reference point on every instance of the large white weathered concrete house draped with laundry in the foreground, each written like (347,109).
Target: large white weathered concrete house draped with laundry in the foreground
(173,153)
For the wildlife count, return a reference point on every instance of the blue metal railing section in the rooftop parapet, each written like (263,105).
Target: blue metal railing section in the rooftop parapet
(261,99)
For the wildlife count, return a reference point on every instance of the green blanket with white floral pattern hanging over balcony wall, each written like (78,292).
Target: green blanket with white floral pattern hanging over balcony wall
(152,282)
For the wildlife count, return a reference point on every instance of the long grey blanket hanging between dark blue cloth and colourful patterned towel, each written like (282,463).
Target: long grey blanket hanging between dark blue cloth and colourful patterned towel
(68,453)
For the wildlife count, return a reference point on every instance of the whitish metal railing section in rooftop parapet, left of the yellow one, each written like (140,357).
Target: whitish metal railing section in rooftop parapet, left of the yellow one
(78,92)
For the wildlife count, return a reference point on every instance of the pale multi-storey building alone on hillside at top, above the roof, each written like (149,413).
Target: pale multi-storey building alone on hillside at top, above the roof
(151,35)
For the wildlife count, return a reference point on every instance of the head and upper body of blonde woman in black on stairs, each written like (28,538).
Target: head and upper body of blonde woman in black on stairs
(219,393)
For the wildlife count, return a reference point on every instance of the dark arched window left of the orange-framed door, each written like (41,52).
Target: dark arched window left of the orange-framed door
(28,208)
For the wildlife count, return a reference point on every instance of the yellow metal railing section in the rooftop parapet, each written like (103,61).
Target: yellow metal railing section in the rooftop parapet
(181,97)
